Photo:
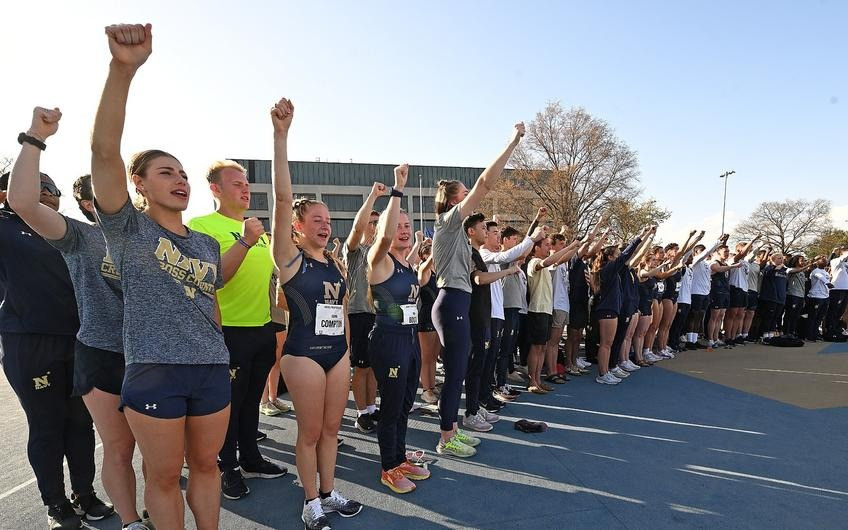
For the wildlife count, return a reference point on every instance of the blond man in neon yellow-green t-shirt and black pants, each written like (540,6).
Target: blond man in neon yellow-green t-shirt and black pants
(246,320)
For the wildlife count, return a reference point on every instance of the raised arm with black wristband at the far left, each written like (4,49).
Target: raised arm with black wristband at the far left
(24,193)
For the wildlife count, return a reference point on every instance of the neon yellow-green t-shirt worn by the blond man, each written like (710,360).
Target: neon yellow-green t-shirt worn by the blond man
(244,298)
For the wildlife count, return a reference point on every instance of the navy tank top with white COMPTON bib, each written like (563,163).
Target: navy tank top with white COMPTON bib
(315,295)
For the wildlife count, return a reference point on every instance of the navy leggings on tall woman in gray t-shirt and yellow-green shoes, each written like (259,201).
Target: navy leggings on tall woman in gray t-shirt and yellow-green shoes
(450,317)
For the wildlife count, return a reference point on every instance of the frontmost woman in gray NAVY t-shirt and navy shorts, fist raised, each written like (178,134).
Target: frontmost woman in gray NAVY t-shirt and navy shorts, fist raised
(176,391)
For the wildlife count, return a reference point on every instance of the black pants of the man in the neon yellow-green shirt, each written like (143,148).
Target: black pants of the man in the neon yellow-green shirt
(252,354)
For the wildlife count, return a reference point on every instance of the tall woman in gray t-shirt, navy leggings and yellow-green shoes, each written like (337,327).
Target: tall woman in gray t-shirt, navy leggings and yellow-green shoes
(453,263)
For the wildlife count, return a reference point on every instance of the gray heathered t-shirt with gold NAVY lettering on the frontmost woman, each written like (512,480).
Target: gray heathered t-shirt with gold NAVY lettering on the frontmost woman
(169,284)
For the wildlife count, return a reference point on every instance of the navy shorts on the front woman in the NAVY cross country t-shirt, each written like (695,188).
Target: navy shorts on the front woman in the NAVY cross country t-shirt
(169,391)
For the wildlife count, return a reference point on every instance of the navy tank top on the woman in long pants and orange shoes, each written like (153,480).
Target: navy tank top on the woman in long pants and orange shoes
(396,299)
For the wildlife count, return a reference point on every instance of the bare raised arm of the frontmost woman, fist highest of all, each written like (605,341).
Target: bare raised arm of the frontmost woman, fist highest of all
(130,45)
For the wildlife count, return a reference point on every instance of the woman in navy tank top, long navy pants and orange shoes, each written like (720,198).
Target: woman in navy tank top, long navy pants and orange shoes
(393,348)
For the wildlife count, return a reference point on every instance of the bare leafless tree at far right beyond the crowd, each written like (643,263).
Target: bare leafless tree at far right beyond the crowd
(790,226)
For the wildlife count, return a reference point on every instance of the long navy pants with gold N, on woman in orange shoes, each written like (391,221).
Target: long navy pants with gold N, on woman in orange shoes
(396,360)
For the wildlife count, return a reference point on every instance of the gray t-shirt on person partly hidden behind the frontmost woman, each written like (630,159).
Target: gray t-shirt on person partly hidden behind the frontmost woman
(97,285)
